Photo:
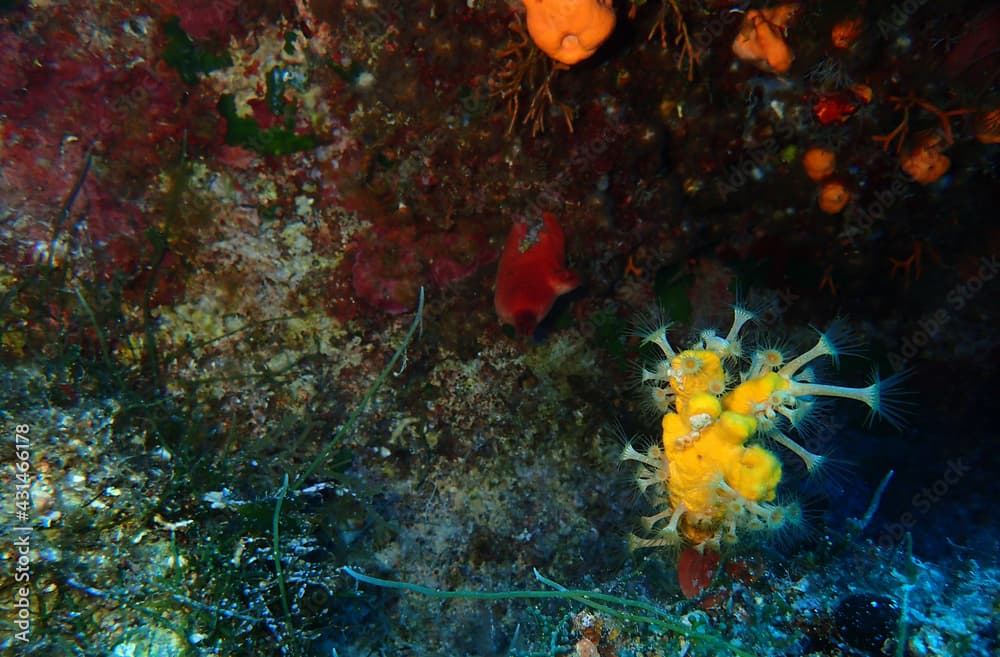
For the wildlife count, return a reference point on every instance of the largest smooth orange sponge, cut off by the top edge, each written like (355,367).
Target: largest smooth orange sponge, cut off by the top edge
(569,30)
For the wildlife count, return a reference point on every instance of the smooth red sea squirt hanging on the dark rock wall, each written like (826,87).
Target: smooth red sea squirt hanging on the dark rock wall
(532,274)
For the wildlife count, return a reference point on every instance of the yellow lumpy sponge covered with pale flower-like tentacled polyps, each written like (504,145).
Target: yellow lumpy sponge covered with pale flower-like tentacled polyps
(711,478)
